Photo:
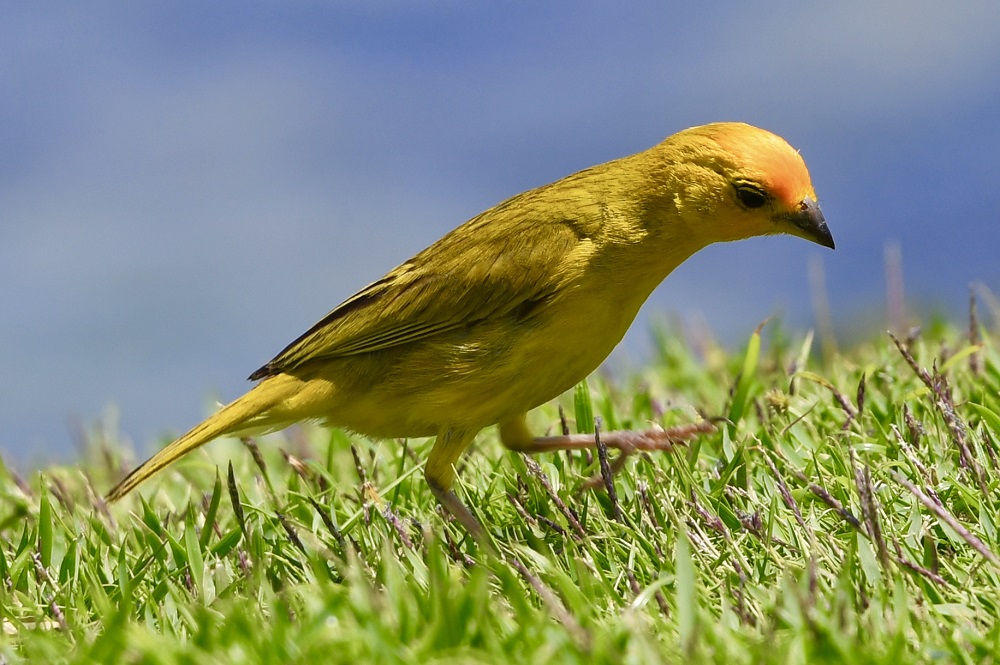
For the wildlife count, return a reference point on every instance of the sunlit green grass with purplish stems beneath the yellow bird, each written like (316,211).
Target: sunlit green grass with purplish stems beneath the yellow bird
(846,512)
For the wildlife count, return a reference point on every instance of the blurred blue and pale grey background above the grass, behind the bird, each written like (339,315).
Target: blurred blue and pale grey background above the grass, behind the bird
(185,187)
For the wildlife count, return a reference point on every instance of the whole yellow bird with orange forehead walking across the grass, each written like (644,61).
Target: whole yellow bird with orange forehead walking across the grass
(520,303)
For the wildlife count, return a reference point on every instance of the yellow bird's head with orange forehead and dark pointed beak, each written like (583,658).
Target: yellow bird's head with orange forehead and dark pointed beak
(735,181)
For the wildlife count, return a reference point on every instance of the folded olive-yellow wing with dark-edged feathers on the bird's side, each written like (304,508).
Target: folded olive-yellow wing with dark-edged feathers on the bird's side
(486,268)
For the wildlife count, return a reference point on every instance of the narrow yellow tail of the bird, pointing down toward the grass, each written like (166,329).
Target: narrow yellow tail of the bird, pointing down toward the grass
(249,412)
